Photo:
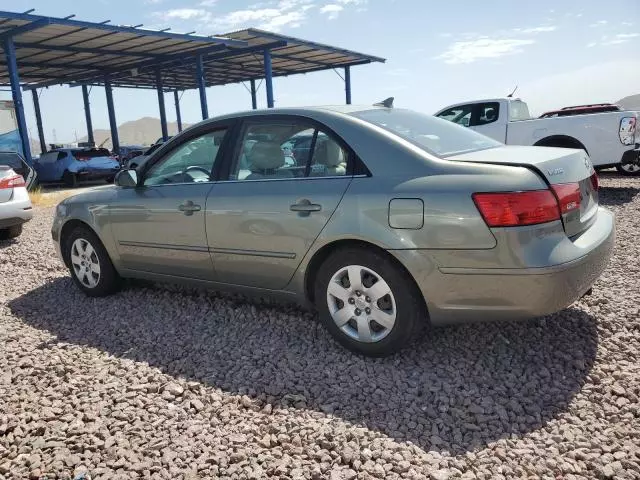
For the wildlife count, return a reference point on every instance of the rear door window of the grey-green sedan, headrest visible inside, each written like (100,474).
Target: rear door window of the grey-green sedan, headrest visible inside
(288,150)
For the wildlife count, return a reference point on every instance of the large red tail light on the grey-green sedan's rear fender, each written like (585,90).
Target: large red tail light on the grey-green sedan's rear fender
(513,209)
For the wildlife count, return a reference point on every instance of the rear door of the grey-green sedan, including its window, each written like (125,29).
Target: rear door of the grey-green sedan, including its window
(265,216)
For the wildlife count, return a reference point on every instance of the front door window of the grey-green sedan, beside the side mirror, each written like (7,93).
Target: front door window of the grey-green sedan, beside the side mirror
(191,162)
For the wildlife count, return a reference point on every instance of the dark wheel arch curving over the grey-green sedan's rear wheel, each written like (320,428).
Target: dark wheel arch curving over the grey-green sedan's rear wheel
(326,250)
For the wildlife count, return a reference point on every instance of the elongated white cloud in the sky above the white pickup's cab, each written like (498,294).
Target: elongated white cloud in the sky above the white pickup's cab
(484,47)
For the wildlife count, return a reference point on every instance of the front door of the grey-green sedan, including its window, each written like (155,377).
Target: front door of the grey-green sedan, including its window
(159,226)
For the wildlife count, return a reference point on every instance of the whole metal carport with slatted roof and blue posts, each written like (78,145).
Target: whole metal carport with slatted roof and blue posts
(45,51)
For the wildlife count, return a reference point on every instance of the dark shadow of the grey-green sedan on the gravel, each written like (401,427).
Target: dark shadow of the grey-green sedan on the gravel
(458,389)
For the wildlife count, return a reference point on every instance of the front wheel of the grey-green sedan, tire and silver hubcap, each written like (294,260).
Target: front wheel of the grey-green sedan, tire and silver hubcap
(89,263)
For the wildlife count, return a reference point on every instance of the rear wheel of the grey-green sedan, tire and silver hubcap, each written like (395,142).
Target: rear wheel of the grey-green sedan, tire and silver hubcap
(367,302)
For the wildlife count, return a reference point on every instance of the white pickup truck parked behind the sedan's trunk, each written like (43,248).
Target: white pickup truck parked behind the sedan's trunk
(611,138)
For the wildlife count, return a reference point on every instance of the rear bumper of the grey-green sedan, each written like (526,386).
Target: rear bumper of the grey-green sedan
(460,295)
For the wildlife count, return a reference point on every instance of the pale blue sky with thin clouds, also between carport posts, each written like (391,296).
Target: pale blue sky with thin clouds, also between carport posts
(438,53)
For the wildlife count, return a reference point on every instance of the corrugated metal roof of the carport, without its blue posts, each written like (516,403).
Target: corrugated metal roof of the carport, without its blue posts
(53,51)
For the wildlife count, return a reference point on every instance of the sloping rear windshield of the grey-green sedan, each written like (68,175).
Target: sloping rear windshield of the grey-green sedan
(434,135)
